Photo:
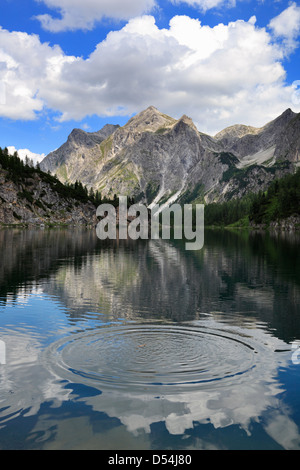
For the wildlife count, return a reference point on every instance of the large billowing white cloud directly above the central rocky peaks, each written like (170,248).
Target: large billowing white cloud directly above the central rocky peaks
(219,76)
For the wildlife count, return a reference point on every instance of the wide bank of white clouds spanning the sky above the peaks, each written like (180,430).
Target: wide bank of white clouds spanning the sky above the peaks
(218,75)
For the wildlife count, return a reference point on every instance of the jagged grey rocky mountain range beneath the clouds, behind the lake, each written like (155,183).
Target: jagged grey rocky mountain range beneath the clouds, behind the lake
(158,159)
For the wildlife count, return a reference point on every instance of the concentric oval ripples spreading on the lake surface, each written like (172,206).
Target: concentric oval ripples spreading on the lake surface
(148,356)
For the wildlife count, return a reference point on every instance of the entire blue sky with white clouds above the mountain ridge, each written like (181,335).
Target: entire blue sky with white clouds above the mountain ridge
(68,63)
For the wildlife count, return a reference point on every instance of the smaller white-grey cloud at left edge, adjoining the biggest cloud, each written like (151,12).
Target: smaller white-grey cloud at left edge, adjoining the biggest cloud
(26,65)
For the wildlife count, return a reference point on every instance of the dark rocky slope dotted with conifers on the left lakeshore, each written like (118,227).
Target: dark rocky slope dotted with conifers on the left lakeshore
(30,196)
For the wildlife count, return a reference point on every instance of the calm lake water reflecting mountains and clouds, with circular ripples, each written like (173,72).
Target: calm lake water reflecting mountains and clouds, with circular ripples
(144,345)
